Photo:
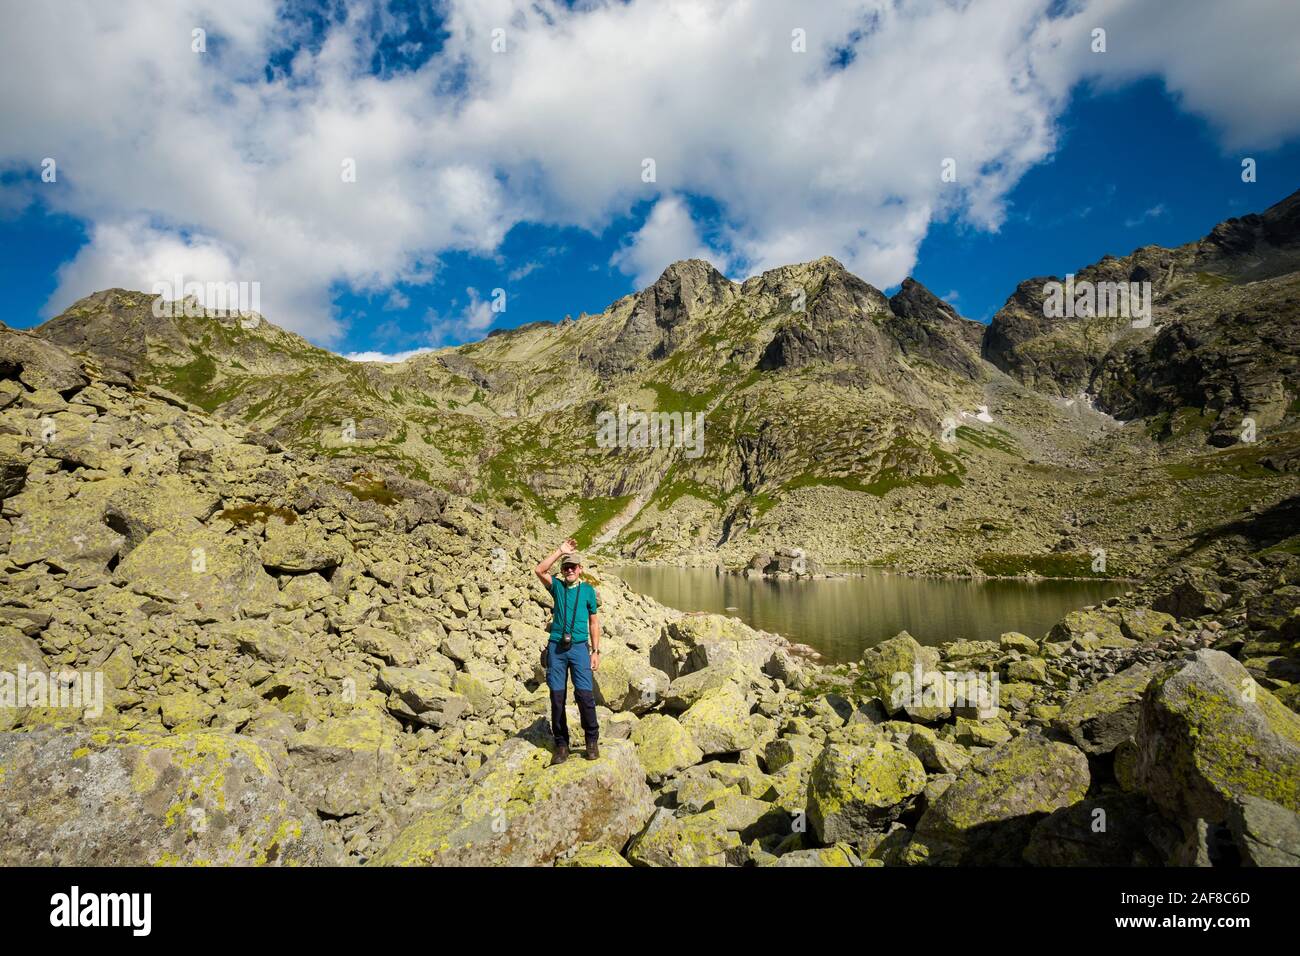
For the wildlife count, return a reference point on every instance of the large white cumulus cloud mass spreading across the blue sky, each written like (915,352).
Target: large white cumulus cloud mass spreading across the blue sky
(237,163)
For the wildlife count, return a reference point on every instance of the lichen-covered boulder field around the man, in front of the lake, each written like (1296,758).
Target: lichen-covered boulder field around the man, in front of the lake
(314,661)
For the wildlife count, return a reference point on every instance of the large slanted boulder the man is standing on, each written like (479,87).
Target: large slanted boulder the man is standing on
(518,811)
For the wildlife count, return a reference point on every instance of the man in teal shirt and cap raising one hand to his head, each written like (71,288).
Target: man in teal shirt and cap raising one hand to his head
(574,648)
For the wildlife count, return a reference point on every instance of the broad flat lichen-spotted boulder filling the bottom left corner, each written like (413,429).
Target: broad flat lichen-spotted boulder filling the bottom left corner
(137,799)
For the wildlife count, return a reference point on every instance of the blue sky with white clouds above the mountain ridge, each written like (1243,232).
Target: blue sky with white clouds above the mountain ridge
(491,179)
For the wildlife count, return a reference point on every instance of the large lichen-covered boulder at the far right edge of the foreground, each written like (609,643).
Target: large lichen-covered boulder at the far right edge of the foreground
(1208,736)
